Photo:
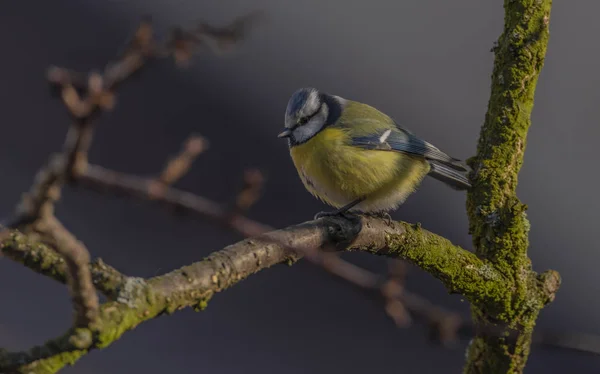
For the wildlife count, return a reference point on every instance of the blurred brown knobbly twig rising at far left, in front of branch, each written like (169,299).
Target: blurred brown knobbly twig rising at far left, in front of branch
(85,96)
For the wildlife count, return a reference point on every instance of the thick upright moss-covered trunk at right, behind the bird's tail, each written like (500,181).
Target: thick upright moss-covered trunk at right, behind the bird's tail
(498,221)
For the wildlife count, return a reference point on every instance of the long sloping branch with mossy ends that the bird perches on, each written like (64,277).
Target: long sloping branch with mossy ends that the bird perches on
(137,300)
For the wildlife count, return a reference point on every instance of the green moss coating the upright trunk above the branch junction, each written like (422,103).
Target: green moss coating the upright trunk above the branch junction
(519,59)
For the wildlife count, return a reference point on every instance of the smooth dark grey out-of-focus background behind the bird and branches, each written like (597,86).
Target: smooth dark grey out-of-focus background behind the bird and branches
(426,63)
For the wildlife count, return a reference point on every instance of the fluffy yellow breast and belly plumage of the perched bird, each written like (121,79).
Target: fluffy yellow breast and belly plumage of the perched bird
(338,173)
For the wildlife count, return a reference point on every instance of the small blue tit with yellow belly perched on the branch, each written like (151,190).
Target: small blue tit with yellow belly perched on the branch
(356,158)
